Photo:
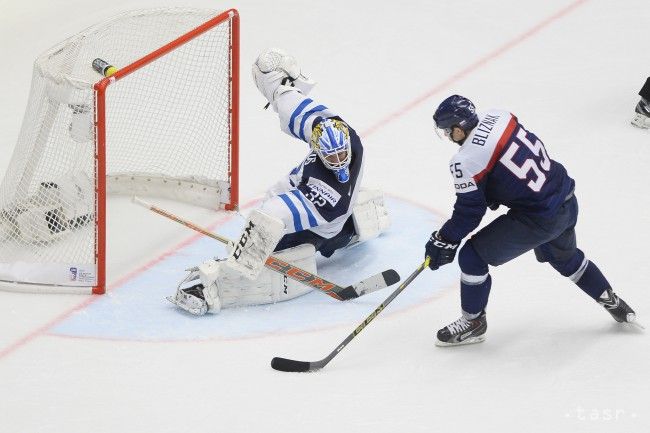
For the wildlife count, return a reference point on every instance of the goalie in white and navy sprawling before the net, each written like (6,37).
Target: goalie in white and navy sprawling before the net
(317,207)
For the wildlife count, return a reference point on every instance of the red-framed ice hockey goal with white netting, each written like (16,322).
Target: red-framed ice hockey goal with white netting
(164,124)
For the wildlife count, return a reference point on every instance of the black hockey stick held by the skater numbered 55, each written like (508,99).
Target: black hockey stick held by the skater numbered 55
(290,365)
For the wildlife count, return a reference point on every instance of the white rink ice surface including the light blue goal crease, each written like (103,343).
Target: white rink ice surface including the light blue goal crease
(553,361)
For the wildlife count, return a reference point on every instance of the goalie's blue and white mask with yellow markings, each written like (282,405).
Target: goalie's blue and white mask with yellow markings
(330,139)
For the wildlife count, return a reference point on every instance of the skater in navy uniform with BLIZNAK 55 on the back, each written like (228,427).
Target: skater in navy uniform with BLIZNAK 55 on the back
(501,163)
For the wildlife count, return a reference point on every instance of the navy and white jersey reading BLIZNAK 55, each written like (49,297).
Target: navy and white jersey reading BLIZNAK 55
(501,163)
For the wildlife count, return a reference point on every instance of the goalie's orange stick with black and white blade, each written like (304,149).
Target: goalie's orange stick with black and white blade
(363,287)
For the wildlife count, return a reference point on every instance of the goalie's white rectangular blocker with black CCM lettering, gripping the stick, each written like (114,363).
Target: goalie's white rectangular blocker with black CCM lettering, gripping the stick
(261,234)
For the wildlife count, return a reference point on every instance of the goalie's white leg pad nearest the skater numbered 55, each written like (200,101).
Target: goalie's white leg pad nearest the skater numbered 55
(370,215)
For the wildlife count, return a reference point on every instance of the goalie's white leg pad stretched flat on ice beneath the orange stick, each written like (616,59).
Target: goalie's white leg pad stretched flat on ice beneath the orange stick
(225,287)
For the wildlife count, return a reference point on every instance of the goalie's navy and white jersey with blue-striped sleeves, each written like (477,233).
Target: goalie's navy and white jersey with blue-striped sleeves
(310,197)
